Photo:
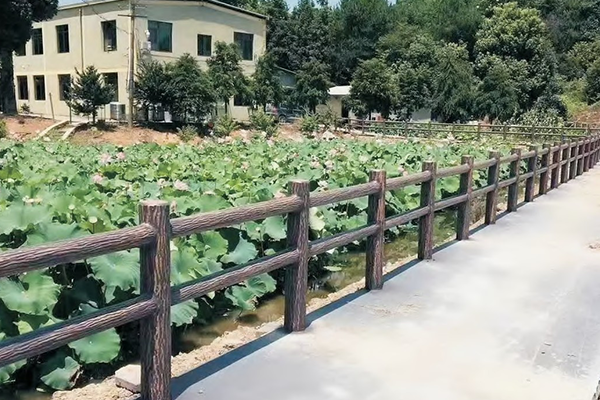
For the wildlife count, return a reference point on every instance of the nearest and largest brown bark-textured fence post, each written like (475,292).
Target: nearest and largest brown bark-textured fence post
(155,279)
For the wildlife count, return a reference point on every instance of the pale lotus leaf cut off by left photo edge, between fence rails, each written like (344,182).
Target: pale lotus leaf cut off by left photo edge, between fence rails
(33,293)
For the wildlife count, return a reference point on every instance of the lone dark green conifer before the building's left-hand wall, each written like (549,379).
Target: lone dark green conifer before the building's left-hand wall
(89,92)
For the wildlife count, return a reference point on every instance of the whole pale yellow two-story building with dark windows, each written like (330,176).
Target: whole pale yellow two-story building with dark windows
(97,33)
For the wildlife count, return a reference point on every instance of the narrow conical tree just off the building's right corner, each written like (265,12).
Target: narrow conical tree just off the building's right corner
(267,85)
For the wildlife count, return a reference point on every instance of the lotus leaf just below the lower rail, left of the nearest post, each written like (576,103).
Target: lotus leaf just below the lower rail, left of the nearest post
(101,347)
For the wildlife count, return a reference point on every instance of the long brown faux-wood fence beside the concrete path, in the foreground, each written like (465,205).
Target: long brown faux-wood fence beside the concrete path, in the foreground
(557,164)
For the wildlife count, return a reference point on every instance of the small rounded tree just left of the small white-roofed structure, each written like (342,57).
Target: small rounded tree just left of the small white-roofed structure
(312,85)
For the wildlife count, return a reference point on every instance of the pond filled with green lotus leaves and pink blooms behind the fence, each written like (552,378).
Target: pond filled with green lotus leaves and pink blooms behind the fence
(52,191)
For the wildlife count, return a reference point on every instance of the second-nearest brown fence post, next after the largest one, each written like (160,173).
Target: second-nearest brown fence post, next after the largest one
(296,275)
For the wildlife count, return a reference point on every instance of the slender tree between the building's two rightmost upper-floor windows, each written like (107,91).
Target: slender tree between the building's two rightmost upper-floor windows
(225,72)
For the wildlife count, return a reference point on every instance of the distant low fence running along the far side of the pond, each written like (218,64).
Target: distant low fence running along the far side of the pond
(432,129)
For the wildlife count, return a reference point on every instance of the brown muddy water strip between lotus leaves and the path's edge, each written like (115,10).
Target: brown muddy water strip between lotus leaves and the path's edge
(351,269)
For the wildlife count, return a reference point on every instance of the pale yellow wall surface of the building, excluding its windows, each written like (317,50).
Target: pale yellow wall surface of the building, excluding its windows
(189,18)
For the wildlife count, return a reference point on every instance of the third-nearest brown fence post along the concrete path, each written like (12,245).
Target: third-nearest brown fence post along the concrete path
(376,215)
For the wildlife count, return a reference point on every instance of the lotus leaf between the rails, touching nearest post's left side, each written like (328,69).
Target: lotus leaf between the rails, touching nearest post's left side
(117,270)
